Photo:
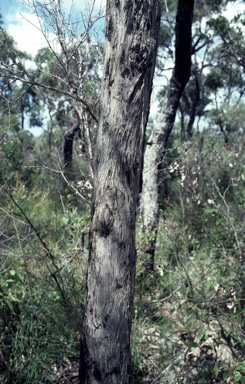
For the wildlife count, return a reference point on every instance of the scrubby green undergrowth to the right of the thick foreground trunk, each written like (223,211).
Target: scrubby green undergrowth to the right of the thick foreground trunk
(190,309)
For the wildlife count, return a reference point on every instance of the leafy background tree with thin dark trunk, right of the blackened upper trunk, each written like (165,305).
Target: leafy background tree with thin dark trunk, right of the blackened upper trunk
(217,84)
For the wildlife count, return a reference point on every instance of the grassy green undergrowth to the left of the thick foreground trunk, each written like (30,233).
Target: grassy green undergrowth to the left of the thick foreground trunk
(43,266)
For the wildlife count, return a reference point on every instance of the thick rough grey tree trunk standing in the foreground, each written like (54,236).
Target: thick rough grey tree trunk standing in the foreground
(130,54)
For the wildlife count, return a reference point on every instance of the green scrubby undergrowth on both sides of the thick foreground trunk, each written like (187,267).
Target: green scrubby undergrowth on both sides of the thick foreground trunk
(189,311)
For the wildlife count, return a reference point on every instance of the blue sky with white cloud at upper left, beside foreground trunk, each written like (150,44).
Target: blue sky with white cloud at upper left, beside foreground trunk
(26,27)
